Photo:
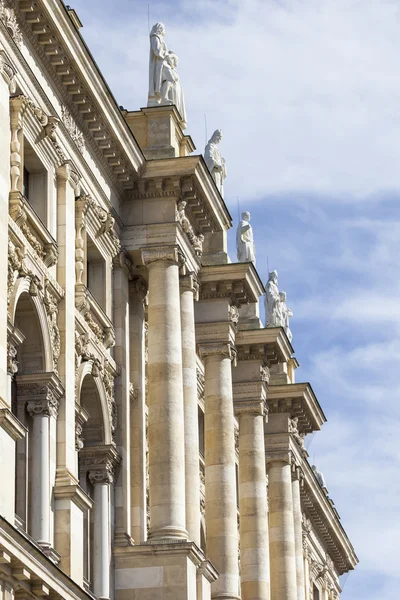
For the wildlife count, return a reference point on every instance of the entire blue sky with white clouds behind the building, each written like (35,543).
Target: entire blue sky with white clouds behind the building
(307,94)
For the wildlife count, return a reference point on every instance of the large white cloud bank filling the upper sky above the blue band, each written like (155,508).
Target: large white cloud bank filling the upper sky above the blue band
(306,91)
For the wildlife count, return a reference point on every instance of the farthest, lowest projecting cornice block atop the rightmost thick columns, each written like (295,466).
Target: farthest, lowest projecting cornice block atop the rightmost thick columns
(299,400)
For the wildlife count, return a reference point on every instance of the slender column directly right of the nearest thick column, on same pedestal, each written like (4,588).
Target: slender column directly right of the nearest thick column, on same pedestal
(189,291)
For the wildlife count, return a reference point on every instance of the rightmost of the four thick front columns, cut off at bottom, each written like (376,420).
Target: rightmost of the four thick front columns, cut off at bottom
(281,529)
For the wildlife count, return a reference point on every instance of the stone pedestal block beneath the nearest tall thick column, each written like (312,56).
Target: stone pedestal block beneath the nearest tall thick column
(157,571)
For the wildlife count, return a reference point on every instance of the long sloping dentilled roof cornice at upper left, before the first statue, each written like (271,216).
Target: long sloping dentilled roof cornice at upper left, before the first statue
(81,86)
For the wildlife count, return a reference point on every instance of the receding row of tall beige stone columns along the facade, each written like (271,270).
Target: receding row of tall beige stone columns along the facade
(269,546)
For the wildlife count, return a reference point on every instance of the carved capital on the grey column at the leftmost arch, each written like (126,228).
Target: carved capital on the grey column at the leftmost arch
(41,391)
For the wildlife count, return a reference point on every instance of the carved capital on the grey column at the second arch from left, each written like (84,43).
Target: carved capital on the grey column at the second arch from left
(100,462)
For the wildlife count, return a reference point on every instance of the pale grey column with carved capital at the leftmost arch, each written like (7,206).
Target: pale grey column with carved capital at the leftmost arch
(42,405)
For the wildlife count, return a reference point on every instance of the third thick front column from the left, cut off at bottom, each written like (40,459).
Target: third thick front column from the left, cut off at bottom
(254,547)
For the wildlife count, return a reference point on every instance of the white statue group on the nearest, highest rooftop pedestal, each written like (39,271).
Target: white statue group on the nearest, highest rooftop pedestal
(164,83)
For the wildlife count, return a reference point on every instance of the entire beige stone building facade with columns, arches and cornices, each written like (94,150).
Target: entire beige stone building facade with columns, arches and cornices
(151,430)
